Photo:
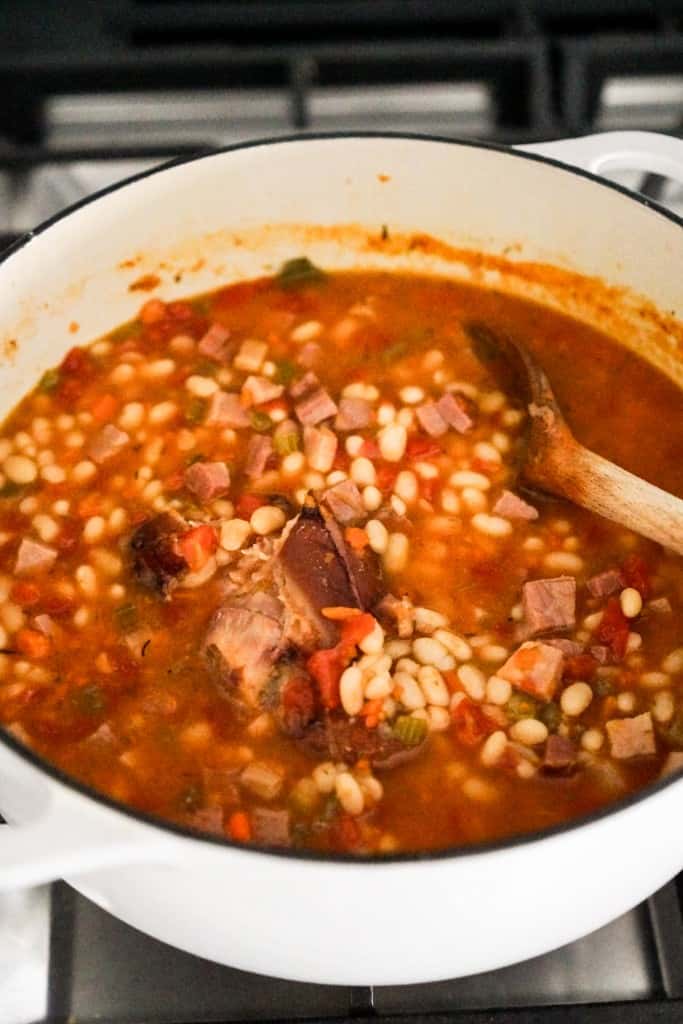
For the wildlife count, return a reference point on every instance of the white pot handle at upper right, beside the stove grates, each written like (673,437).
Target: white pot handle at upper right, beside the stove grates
(634,151)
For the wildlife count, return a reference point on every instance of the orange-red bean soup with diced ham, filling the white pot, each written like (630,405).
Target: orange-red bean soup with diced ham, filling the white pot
(269,570)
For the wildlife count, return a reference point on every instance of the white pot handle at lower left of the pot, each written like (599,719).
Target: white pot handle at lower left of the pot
(63,844)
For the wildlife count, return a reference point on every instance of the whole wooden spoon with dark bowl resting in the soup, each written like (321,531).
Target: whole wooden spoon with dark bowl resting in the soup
(557,463)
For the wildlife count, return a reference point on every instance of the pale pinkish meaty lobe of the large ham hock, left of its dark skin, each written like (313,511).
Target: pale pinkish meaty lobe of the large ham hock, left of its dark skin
(242,646)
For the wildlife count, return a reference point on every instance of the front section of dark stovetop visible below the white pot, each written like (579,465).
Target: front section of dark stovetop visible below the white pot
(103,971)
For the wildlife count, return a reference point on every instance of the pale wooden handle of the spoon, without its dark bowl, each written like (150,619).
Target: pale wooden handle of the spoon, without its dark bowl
(595,484)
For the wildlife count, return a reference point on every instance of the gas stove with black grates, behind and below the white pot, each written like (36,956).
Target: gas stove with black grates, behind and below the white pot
(96,93)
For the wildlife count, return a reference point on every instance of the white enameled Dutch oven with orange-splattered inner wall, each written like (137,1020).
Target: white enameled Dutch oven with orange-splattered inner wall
(239,214)
